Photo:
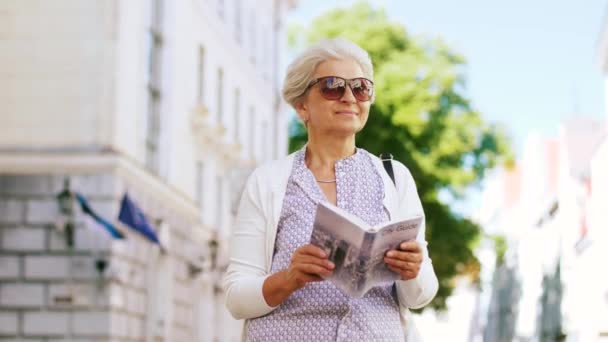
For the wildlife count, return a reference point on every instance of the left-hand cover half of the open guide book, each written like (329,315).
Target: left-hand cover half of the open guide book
(342,239)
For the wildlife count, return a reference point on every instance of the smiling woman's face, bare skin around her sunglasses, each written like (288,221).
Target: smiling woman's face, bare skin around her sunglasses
(342,117)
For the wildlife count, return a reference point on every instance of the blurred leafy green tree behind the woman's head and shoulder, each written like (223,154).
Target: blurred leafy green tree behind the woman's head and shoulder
(423,117)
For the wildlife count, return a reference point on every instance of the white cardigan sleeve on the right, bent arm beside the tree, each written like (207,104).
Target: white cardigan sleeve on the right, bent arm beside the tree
(418,292)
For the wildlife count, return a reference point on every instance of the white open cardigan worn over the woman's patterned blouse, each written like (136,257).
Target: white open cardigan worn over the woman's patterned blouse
(255,228)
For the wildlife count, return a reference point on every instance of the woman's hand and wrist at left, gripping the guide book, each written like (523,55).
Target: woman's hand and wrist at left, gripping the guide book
(308,263)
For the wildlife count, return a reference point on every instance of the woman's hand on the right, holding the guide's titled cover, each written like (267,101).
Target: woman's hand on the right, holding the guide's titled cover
(406,260)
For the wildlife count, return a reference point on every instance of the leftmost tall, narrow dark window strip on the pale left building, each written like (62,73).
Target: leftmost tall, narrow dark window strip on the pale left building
(155,43)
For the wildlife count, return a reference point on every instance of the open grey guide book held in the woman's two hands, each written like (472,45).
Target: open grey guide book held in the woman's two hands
(358,249)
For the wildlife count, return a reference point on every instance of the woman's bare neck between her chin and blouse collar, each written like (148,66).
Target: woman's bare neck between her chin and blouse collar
(323,152)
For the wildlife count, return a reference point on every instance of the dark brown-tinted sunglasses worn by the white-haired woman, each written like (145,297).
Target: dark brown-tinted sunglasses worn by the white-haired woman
(334,87)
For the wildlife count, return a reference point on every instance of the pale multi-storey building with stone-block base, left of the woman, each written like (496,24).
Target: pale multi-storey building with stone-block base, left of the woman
(172,102)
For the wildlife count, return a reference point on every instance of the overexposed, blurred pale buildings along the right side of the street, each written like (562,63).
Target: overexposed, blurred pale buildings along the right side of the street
(548,211)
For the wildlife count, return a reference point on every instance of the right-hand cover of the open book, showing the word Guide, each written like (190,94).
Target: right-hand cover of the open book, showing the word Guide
(387,238)
